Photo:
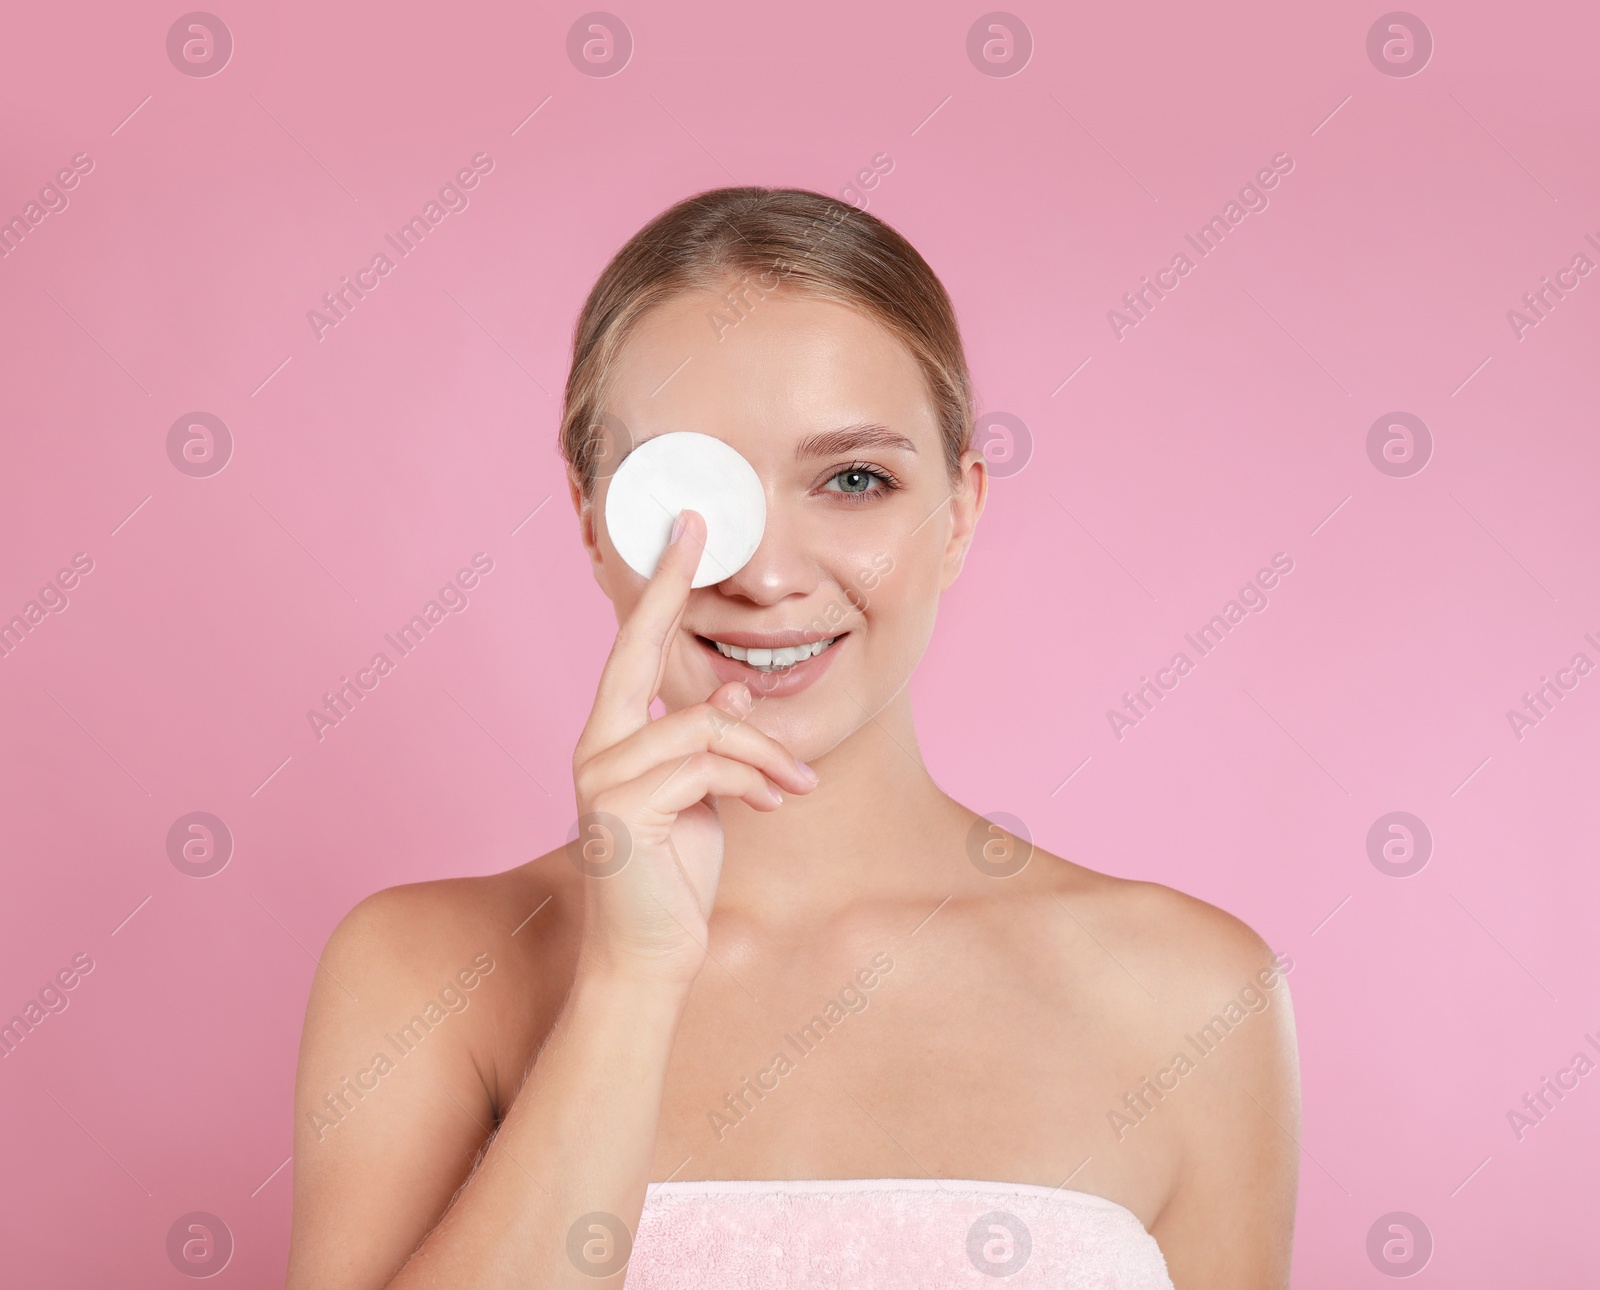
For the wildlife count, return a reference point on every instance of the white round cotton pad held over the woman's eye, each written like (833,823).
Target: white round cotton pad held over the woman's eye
(686,471)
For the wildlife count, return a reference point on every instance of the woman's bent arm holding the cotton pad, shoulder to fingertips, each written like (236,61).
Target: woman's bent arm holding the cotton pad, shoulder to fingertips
(558,1193)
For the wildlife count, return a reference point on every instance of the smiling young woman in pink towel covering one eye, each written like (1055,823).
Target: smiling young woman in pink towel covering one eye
(783,1012)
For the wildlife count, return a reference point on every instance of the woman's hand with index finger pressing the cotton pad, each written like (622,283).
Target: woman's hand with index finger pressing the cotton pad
(649,835)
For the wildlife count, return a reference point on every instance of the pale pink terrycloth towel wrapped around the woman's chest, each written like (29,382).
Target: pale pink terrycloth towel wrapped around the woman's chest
(889,1235)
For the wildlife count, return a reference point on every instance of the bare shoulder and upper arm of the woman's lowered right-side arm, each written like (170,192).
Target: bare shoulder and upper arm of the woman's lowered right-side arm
(1212,1068)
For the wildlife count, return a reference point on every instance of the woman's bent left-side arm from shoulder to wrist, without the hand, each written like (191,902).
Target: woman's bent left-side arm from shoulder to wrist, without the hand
(374,1177)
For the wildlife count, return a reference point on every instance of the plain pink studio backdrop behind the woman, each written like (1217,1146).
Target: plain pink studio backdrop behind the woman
(1175,462)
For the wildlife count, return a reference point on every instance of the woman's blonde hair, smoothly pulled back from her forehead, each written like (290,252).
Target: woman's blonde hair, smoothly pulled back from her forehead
(790,239)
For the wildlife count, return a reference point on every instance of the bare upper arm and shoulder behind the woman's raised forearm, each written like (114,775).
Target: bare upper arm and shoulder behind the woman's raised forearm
(425,1011)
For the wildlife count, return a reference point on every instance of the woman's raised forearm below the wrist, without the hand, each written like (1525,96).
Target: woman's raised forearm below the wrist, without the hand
(577,1145)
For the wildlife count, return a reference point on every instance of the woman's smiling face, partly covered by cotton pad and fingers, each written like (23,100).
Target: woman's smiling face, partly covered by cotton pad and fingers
(865,526)
